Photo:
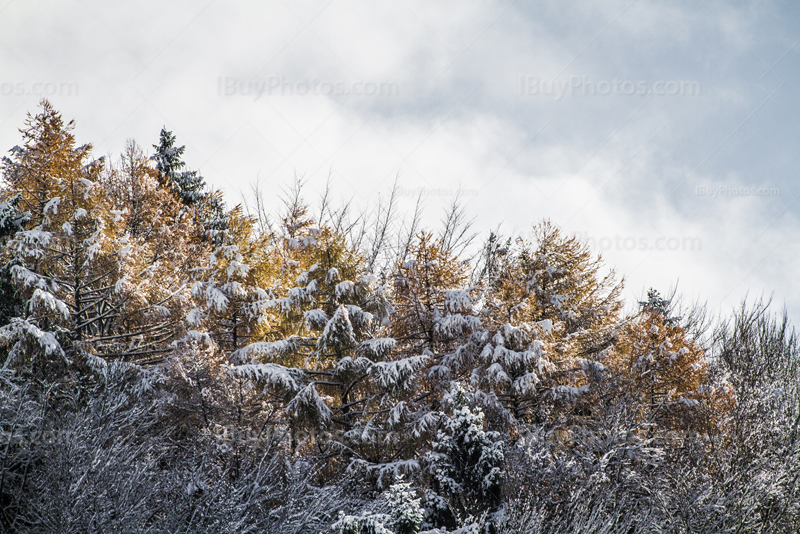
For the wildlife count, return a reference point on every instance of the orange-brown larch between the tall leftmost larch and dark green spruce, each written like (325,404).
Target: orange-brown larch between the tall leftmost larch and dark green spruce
(159,251)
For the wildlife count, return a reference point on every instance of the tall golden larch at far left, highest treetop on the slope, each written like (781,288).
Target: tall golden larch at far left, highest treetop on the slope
(66,259)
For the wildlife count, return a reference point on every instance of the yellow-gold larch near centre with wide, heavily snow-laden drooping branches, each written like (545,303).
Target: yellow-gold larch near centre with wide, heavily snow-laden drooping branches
(325,358)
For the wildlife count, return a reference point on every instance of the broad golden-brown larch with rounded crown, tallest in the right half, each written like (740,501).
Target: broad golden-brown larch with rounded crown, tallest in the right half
(550,318)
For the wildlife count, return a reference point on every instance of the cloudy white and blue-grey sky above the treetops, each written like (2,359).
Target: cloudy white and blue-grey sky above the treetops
(663,133)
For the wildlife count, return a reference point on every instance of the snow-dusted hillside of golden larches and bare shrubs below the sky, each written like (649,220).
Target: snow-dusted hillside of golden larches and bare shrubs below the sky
(174,364)
